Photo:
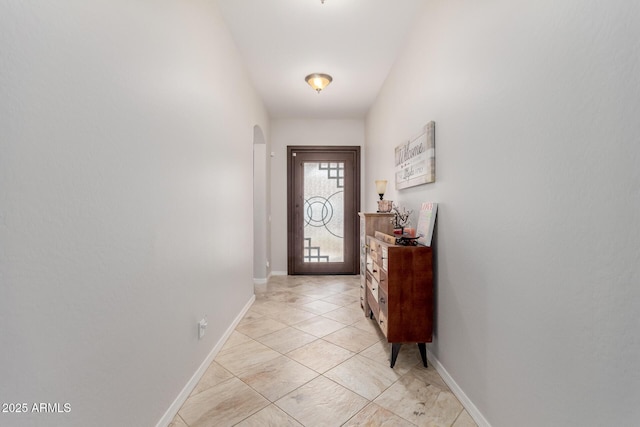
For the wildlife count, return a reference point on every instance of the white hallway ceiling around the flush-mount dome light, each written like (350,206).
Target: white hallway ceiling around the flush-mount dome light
(355,41)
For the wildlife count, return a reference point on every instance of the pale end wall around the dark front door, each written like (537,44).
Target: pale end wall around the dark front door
(286,132)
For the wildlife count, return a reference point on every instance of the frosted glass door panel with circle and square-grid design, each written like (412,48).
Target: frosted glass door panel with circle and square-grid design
(323,212)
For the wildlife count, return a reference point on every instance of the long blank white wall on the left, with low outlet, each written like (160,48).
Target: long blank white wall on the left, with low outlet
(126,139)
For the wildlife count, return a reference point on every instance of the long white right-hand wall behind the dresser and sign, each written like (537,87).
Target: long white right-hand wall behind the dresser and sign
(536,107)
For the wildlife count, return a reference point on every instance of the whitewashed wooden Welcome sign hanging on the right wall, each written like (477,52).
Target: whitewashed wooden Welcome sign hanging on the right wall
(415,160)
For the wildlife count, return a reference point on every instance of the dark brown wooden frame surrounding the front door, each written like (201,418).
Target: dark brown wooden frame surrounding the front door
(351,225)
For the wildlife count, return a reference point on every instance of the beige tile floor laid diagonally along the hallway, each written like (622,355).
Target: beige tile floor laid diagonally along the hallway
(305,355)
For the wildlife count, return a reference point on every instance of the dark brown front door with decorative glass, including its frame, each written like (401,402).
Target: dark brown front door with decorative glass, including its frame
(323,203)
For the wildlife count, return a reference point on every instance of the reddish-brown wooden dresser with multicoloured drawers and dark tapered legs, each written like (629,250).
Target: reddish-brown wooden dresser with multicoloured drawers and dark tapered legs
(399,292)
